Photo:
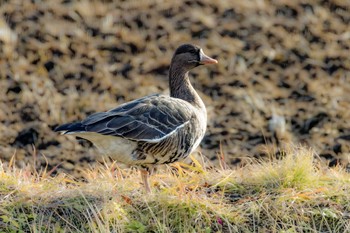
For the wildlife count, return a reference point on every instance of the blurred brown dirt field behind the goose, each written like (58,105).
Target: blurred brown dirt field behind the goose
(283,74)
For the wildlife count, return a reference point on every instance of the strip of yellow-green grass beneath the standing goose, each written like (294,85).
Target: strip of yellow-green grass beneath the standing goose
(292,194)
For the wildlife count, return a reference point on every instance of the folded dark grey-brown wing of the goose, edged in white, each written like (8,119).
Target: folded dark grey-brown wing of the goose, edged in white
(151,119)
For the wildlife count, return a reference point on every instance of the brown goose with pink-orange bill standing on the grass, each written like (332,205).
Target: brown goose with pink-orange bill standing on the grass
(156,129)
